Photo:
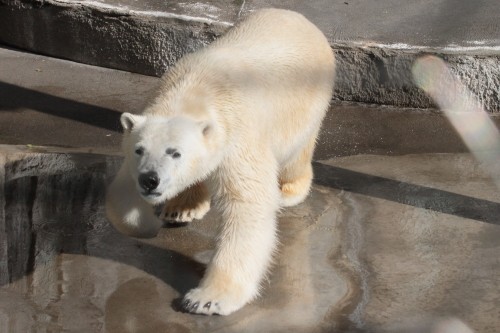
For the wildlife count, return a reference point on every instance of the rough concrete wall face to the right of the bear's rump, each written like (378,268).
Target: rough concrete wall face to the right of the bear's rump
(383,76)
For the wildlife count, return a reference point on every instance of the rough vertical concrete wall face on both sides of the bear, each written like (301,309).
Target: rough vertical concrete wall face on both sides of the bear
(148,44)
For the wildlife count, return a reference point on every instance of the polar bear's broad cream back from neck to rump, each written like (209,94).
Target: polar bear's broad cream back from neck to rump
(270,78)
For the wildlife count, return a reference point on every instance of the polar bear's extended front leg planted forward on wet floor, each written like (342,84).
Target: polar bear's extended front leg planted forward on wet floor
(245,245)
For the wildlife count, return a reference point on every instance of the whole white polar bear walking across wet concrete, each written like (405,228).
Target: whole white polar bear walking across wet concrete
(235,122)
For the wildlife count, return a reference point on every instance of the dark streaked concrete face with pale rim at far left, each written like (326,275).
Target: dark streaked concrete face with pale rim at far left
(48,210)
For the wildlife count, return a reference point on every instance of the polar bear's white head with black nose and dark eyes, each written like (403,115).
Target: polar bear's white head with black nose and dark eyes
(166,155)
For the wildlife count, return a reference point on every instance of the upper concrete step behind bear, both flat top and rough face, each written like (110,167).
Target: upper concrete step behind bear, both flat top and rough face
(376,42)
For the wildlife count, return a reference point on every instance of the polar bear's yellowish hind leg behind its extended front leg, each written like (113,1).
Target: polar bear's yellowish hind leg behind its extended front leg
(296,177)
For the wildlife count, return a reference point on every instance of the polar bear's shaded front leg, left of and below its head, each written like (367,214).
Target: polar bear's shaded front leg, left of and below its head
(127,211)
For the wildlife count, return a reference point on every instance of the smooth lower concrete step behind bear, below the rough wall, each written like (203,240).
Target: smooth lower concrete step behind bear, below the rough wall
(51,102)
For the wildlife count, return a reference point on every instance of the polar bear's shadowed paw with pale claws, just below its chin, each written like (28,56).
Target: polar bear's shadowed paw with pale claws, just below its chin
(192,203)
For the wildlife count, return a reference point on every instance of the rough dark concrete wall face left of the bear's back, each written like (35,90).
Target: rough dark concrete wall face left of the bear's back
(103,38)
